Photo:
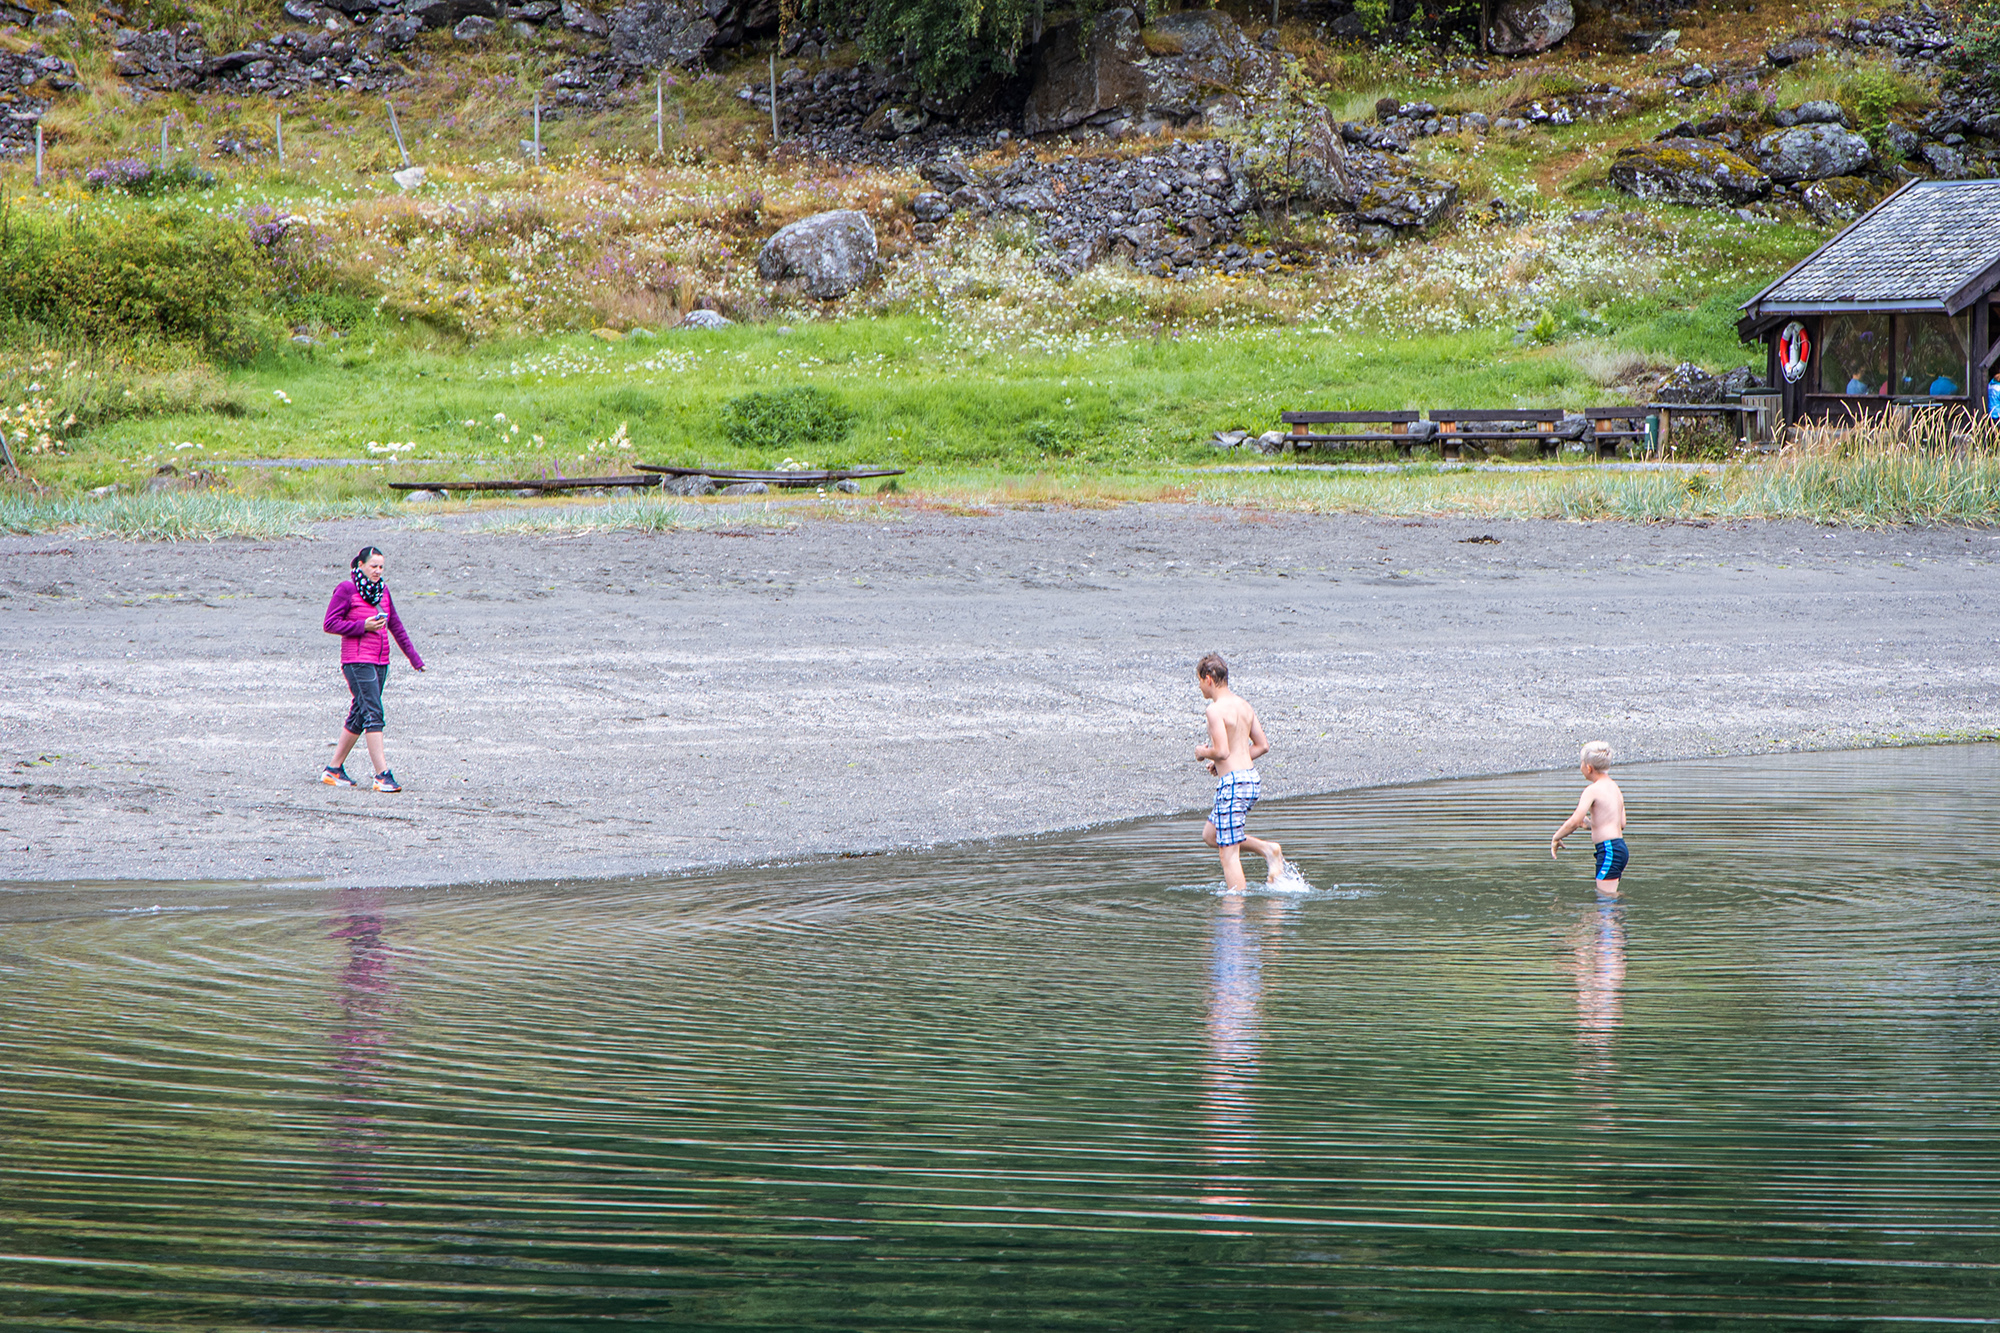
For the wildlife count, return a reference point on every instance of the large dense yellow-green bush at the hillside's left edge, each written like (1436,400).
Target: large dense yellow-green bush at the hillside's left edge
(145,277)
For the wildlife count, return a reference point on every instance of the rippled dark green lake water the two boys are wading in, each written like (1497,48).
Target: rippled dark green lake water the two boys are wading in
(1057,1084)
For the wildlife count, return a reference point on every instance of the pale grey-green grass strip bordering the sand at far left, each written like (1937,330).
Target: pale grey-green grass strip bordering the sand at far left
(179,517)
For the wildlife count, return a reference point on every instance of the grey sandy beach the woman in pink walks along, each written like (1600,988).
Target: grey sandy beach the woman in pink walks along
(639,704)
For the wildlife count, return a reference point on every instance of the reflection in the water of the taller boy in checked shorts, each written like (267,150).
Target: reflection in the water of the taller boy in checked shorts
(1235,1038)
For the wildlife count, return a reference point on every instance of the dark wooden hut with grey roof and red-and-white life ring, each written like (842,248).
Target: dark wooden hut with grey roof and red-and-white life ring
(1899,309)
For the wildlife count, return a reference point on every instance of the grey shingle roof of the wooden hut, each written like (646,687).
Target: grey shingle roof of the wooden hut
(1925,243)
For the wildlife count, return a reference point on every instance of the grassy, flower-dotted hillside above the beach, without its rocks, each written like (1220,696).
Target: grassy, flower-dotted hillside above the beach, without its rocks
(507,317)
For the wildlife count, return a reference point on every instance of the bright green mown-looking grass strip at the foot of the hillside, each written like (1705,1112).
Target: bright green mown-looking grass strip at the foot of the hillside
(919,391)
